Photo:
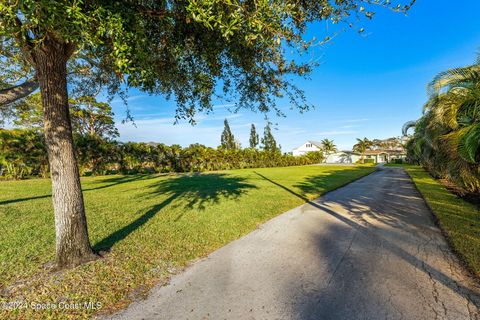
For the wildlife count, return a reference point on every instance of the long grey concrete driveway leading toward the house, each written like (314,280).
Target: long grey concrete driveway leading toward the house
(369,250)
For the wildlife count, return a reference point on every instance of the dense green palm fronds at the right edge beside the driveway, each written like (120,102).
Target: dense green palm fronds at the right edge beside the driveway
(447,137)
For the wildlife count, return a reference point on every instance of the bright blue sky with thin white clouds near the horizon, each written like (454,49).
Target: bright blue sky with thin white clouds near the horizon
(366,85)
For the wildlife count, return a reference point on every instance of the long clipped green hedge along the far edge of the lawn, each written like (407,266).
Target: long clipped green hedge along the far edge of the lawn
(97,155)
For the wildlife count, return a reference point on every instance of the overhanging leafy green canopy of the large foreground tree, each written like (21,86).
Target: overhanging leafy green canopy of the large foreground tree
(181,48)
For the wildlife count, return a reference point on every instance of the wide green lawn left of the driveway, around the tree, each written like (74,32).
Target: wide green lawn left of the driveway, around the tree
(150,225)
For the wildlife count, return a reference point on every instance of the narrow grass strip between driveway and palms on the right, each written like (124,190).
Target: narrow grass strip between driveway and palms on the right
(458,219)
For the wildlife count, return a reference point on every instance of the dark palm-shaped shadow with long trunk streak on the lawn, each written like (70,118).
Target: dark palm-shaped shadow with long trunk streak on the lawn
(195,191)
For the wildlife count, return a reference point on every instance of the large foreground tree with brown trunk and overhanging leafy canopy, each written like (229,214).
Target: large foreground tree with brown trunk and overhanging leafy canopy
(175,47)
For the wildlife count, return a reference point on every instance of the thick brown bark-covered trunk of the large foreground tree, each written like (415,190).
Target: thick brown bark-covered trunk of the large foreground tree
(72,243)
